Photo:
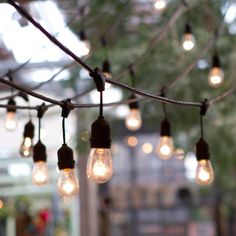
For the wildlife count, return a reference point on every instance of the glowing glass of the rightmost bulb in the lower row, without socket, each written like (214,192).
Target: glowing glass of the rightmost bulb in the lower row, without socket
(204,172)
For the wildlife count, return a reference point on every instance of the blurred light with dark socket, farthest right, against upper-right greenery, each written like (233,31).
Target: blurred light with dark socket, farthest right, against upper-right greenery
(216,74)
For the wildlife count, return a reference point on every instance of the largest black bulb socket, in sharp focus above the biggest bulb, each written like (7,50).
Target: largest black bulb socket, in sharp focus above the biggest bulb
(100,134)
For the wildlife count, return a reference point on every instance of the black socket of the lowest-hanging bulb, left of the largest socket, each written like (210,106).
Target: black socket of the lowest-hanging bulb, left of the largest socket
(65,158)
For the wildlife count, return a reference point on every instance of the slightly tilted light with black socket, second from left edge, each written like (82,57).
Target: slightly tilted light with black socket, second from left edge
(26,149)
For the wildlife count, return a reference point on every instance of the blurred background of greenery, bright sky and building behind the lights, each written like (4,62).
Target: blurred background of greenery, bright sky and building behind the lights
(147,195)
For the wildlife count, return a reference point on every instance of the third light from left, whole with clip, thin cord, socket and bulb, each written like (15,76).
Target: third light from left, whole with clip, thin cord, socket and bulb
(40,173)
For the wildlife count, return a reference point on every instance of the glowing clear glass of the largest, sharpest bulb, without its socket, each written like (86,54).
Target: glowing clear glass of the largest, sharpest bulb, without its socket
(99,167)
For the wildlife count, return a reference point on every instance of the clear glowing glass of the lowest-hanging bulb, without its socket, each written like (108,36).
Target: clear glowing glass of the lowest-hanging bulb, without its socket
(68,185)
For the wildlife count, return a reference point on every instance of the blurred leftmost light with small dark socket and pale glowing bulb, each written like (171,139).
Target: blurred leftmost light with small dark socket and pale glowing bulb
(11,119)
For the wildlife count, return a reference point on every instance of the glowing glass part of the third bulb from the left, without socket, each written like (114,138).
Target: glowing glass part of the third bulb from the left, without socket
(40,174)
